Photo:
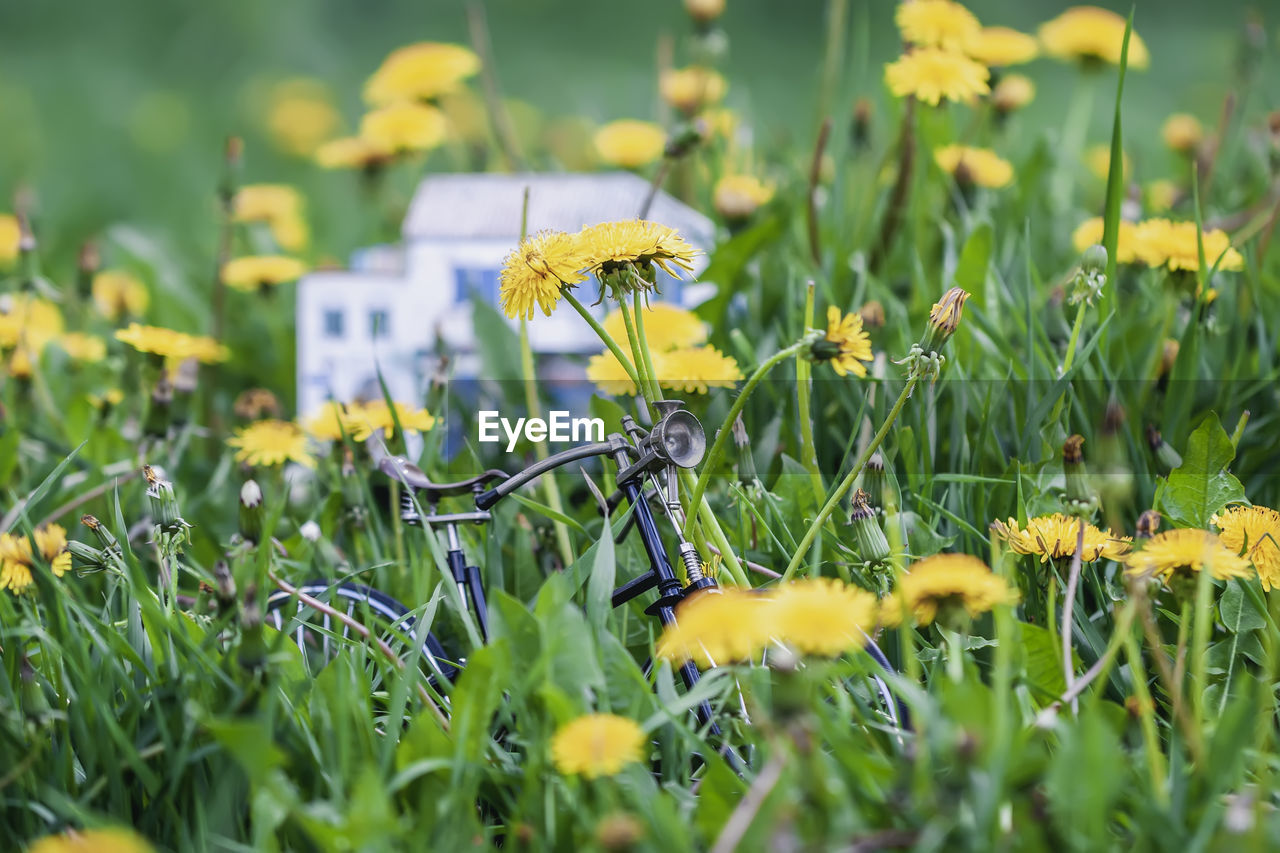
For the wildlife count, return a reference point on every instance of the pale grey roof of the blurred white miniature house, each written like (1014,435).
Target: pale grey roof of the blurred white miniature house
(488,206)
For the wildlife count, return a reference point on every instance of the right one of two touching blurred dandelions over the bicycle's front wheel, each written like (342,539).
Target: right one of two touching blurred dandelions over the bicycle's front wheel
(821,617)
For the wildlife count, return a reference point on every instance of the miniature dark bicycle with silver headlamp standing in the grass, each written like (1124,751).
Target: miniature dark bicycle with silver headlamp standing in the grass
(642,458)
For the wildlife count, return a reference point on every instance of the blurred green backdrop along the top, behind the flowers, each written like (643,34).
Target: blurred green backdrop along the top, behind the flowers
(117,112)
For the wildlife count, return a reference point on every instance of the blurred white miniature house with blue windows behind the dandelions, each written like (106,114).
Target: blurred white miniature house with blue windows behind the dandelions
(396,304)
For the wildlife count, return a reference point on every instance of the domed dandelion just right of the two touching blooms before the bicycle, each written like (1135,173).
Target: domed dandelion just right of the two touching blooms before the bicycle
(947,582)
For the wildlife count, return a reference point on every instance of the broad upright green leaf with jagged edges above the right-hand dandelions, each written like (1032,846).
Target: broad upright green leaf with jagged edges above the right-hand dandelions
(1203,486)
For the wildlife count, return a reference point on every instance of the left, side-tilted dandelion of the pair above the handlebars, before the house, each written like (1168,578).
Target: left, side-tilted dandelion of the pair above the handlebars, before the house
(536,272)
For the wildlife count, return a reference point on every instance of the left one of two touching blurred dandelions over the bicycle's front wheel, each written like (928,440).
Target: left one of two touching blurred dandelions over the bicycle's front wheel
(716,628)
